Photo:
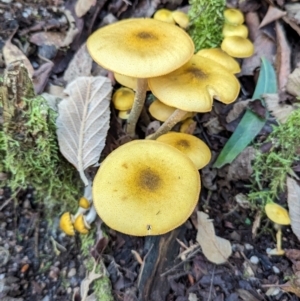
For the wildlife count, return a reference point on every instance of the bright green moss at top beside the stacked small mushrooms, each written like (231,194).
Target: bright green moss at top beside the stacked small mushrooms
(206,23)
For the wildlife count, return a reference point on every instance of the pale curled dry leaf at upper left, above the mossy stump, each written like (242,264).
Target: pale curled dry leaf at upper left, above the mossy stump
(12,53)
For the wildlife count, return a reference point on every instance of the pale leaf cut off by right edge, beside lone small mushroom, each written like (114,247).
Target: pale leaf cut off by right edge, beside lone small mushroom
(293,199)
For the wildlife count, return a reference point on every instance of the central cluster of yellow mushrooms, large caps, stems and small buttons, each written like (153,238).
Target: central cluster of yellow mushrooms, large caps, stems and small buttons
(151,186)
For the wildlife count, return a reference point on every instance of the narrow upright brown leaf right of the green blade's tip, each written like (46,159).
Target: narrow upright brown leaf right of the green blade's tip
(283,56)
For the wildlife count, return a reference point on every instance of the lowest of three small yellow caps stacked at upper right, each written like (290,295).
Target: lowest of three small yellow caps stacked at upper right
(237,46)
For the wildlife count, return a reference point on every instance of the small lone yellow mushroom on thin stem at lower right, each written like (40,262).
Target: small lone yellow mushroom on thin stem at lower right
(279,216)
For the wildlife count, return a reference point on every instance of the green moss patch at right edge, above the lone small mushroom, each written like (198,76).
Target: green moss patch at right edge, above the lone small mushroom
(270,169)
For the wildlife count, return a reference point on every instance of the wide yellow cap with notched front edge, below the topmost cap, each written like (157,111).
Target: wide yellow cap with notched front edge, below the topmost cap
(193,86)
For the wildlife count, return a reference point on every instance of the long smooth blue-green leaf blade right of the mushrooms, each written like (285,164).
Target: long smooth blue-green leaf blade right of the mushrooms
(251,124)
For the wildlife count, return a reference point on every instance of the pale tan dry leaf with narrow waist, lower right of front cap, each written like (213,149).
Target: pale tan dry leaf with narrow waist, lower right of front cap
(216,249)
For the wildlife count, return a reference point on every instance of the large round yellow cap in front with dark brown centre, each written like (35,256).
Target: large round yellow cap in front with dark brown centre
(141,188)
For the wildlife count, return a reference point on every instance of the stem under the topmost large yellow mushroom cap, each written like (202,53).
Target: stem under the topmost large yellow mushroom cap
(139,100)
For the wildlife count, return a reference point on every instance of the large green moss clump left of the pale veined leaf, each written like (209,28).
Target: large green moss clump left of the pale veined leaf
(30,155)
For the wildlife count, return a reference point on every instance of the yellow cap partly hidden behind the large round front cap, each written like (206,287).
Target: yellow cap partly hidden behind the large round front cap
(190,145)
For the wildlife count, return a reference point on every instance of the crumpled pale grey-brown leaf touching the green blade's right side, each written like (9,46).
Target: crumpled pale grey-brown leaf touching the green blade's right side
(280,111)
